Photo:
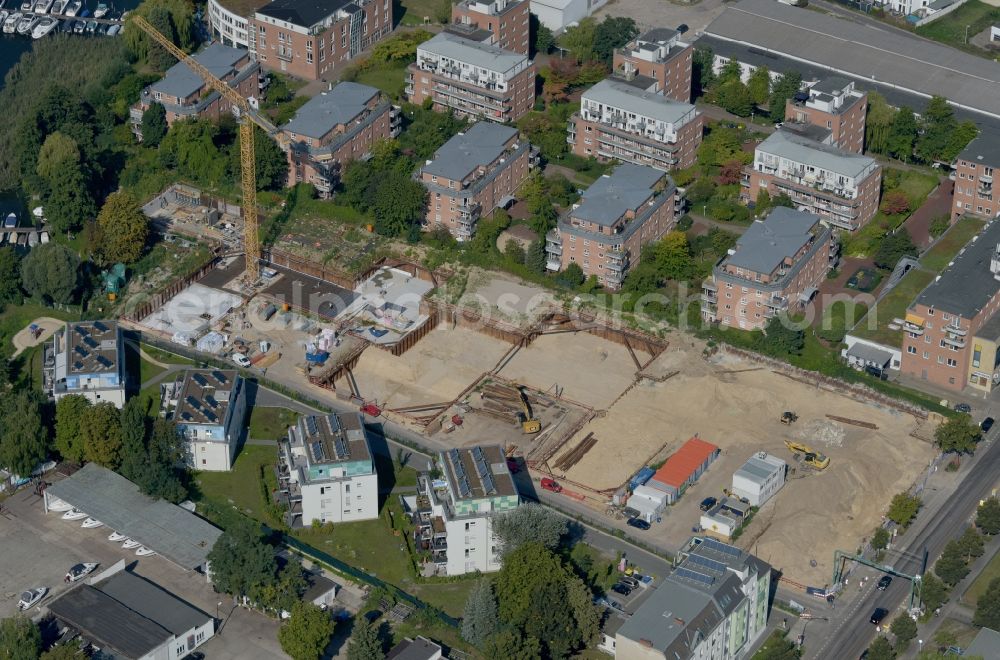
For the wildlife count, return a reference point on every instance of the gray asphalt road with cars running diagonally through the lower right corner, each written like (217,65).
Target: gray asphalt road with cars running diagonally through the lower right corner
(855,632)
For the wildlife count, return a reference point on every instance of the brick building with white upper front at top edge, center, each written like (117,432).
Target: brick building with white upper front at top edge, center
(501,23)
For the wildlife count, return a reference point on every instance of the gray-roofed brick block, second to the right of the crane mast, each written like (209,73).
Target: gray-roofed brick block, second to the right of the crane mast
(472,174)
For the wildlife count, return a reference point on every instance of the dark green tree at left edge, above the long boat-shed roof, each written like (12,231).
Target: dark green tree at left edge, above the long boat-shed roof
(24,442)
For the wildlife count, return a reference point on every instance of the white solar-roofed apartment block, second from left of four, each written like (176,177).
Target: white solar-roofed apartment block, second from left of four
(209,408)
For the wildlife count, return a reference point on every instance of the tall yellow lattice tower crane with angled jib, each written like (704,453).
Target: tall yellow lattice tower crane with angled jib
(247,118)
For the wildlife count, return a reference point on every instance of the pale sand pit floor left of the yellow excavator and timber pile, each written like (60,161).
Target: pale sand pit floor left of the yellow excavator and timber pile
(436,369)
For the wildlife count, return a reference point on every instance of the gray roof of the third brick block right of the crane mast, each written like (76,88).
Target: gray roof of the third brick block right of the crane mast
(608,198)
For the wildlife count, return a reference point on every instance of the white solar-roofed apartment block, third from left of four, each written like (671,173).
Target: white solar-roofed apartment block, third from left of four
(326,472)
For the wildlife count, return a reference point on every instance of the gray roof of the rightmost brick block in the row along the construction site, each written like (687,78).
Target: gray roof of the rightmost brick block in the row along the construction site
(768,242)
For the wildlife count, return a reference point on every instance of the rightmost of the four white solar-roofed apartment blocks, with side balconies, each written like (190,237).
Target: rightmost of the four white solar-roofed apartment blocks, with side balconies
(454,513)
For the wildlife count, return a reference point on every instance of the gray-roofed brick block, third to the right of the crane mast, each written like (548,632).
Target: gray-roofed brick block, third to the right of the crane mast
(604,232)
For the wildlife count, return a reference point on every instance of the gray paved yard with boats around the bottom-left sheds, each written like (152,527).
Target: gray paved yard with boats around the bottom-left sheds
(37,550)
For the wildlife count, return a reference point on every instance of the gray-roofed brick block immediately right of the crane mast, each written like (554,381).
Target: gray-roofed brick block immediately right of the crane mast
(334,128)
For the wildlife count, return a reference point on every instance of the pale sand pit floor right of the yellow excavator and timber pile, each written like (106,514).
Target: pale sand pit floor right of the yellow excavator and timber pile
(585,368)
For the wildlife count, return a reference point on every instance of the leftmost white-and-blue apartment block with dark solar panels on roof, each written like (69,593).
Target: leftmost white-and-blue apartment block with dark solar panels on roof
(86,358)
